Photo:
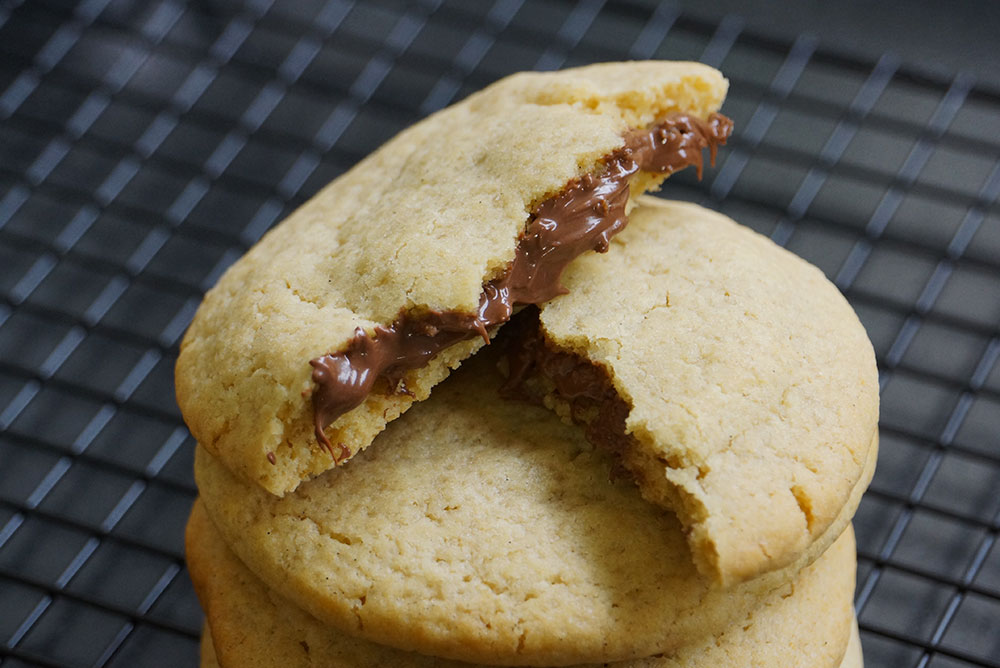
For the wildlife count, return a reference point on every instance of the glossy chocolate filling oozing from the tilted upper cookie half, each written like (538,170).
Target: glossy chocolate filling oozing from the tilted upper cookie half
(584,216)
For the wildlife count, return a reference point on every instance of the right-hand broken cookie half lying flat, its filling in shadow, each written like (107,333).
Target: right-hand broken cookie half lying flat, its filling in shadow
(729,377)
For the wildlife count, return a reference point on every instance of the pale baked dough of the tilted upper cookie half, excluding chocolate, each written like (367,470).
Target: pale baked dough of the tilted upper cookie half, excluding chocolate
(421,224)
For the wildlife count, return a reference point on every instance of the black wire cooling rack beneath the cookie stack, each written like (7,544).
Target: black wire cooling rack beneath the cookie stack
(145,146)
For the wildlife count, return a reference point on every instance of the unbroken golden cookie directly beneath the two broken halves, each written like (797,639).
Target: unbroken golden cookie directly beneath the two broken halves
(481,530)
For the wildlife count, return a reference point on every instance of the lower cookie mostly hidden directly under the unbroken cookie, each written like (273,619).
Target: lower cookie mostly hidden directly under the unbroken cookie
(805,623)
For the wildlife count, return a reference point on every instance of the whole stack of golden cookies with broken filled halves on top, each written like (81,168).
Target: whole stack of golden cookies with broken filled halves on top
(655,463)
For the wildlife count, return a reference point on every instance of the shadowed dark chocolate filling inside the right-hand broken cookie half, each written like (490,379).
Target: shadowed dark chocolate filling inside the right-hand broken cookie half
(535,370)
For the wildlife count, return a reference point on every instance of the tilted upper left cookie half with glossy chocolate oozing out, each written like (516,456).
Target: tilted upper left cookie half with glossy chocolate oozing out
(356,305)
